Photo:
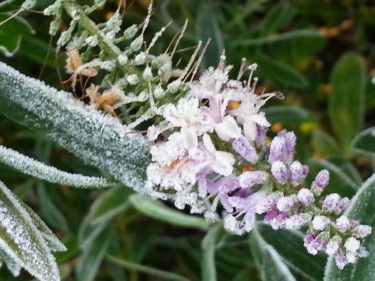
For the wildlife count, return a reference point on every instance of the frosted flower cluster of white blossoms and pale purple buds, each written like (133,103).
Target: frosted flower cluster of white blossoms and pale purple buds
(211,153)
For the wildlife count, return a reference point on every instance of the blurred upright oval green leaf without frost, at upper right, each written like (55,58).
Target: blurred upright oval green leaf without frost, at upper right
(346,102)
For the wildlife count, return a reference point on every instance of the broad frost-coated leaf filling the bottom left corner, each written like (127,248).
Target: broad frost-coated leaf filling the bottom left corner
(22,241)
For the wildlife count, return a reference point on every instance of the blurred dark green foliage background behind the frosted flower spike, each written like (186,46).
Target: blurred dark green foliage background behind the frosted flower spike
(319,54)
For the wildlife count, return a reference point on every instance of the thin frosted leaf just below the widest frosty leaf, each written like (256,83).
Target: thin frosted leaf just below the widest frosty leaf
(37,169)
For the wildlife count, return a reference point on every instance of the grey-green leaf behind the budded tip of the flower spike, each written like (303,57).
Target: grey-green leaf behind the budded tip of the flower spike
(362,207)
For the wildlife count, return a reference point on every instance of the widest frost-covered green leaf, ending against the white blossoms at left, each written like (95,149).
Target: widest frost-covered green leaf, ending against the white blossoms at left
(98,139)
